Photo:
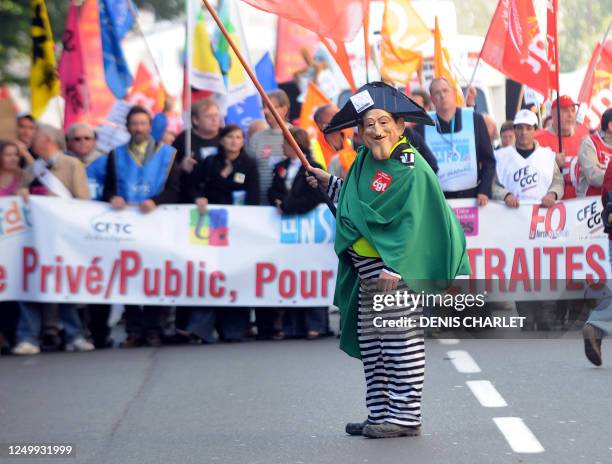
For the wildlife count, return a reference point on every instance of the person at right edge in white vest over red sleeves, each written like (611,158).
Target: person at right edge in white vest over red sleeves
(593,158)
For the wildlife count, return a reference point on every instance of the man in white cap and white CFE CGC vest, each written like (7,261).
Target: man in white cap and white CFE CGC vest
(528,172)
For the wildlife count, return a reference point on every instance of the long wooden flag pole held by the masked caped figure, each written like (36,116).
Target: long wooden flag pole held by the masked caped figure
(282,124)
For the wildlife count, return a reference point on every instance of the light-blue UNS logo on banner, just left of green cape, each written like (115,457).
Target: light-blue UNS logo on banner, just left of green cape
(317,226)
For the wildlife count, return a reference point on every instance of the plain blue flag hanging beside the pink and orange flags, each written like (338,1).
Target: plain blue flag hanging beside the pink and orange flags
(116,19)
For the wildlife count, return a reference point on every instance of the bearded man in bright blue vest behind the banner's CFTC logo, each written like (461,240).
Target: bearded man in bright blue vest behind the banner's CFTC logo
(144,173)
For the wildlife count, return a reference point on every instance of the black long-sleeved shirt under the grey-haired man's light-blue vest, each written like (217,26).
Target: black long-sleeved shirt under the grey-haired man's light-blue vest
(484,154)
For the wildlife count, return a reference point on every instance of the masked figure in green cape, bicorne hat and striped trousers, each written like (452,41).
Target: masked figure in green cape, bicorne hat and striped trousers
(389,244)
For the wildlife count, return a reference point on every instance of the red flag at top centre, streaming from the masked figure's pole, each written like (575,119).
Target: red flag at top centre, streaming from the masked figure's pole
(337,19)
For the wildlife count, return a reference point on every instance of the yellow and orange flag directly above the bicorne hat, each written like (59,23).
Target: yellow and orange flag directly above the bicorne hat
(402,31)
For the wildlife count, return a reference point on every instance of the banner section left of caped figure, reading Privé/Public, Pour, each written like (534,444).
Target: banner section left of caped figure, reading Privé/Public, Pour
(54,250)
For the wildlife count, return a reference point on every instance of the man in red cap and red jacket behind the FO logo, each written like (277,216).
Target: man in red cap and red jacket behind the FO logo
(571,135)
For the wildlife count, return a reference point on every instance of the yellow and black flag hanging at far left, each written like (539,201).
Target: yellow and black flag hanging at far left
(44,81)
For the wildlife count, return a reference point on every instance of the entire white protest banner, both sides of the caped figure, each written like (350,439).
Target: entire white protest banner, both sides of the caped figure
(72,250)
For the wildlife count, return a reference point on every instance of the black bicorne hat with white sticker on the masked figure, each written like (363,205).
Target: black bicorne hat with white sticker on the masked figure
(377,95)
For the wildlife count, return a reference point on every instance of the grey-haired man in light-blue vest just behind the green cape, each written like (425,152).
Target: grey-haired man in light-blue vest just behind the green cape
(461,144)
